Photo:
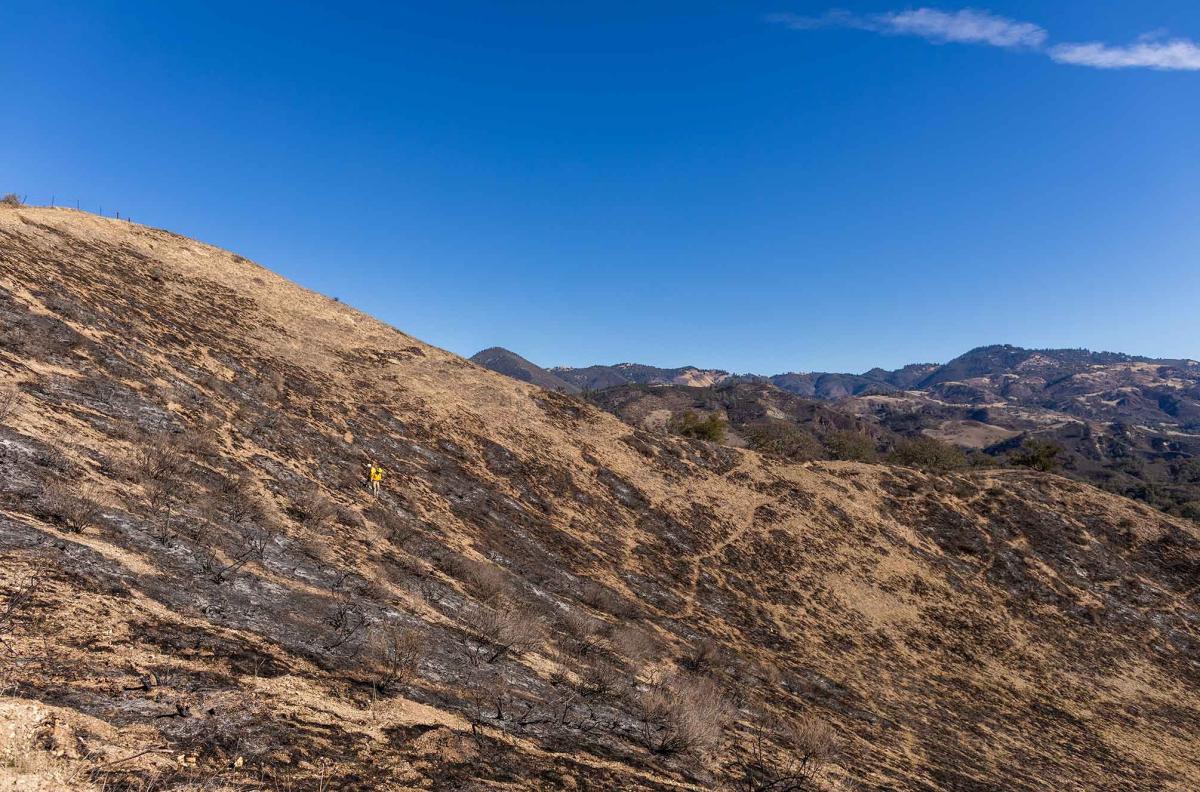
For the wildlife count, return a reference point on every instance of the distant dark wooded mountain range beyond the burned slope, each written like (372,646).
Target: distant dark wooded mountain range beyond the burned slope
(1126,423)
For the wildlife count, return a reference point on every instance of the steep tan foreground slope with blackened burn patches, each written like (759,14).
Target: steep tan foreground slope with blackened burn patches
(542,598)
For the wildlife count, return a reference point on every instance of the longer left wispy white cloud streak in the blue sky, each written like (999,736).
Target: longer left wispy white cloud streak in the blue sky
(968,26)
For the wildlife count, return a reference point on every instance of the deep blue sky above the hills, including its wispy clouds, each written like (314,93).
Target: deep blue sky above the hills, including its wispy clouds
(757,187)
